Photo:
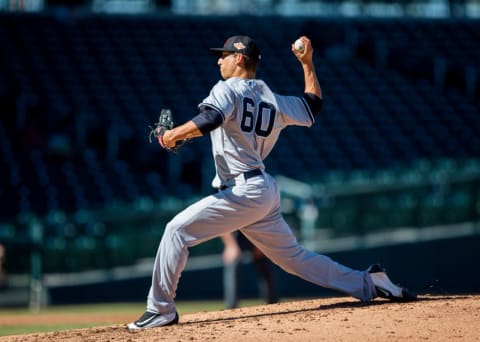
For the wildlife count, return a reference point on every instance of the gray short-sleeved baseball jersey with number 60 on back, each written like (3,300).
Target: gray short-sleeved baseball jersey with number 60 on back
(253,119)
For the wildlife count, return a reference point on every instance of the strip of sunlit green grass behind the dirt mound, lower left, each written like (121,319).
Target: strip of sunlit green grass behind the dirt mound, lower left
(134,309)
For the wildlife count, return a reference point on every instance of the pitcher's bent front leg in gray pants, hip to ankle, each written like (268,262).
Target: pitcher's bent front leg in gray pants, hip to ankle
(210,217)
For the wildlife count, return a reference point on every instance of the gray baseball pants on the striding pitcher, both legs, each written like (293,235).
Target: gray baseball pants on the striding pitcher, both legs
(253,206)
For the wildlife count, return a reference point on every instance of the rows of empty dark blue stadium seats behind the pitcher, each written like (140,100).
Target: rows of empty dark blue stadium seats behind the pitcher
(101,80)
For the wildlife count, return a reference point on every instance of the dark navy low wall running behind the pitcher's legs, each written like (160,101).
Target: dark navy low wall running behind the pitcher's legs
(443,266)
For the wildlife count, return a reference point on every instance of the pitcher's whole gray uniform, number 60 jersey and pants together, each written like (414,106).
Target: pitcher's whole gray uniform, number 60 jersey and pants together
(253,117)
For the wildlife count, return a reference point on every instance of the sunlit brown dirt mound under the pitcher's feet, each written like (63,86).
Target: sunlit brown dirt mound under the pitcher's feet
(435,318)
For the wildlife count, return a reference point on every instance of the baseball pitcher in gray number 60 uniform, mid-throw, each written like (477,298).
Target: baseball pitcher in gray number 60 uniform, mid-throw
(244,118)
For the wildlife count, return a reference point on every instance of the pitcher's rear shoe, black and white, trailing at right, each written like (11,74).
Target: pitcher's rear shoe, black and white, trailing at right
(386,289)
